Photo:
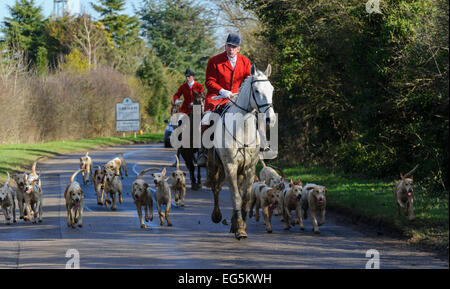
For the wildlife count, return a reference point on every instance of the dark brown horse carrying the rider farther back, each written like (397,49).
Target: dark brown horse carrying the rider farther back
(189,154)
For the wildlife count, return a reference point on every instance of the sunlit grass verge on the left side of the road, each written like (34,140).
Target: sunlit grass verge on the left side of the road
(19,157)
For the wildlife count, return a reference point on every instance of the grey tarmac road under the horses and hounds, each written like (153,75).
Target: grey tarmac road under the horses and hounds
(114,239)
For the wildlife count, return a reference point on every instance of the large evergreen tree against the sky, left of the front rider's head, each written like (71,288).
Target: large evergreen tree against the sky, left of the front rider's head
(180,32)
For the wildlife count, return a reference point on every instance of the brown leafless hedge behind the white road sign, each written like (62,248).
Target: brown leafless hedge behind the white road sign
(61,106)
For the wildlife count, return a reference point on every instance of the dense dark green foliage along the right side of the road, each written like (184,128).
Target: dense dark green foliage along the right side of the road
(367,92)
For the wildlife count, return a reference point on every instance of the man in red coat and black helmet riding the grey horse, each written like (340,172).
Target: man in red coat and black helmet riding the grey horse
(224,74)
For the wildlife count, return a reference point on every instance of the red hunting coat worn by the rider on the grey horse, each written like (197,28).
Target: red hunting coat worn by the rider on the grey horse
(220,74)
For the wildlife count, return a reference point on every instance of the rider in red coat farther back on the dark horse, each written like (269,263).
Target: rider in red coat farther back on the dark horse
(186,90)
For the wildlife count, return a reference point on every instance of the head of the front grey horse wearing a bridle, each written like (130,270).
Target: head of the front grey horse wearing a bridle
(262,93)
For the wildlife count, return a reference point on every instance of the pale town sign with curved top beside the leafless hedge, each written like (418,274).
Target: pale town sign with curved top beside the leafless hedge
(127,116)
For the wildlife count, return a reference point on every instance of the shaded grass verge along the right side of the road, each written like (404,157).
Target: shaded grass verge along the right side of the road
(372,202)
